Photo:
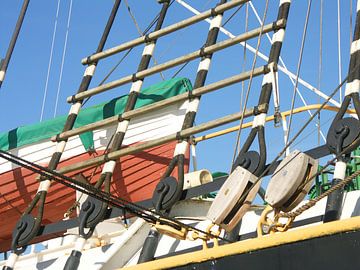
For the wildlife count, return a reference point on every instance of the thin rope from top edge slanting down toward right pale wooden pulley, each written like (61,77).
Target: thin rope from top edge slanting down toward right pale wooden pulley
(299,67)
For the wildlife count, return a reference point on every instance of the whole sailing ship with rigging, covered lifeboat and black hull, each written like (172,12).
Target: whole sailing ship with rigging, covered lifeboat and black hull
(110,186)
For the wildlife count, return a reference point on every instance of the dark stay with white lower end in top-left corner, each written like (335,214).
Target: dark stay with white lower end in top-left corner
(5,63)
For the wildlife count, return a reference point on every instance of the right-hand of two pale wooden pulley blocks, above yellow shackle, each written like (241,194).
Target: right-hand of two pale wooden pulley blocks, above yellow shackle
(287,186)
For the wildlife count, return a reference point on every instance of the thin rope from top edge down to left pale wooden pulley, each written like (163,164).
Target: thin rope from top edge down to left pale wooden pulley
(250,79)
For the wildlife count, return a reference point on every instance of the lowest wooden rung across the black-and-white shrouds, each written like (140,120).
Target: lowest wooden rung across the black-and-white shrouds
(182,134)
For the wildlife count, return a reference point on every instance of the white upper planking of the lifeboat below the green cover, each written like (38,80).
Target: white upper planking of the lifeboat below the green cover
(143,128)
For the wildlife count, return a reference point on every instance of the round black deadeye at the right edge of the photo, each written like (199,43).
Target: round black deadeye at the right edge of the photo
(342,134)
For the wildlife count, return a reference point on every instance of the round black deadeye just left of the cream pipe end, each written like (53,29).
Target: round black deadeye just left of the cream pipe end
(164,192)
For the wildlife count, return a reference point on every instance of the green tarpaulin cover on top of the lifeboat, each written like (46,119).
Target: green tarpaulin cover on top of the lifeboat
(45,130)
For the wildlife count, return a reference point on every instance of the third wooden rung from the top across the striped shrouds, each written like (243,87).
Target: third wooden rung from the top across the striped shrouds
(163,103)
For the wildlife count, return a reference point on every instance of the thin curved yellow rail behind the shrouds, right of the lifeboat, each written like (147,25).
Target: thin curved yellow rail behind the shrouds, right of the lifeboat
(268,119)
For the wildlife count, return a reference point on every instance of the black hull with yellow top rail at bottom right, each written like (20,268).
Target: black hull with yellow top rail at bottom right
(324,247)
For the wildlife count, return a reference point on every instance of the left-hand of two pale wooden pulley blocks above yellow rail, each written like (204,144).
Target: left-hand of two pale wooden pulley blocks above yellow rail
(227,209)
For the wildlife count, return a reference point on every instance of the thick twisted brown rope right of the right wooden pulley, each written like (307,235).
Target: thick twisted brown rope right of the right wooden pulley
(312,202)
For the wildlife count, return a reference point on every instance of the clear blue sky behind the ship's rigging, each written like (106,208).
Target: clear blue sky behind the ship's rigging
(22,92)
